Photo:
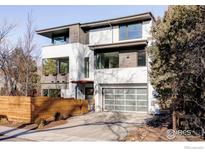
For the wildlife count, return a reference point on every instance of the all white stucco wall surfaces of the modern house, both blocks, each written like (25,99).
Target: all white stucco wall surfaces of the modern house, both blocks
(128,77)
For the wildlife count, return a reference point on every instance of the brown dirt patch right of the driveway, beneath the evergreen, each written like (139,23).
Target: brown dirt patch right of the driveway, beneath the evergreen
(155,129)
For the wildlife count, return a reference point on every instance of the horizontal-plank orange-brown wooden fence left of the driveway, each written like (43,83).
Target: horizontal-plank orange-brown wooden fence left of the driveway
(29,109)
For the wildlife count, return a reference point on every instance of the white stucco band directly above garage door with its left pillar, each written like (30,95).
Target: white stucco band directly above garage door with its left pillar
(118,77)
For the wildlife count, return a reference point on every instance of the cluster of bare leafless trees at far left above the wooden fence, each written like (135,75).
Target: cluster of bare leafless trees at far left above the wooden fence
(17,65)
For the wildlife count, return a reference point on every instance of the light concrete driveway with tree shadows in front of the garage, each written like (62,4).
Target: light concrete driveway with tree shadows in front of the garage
(101,126)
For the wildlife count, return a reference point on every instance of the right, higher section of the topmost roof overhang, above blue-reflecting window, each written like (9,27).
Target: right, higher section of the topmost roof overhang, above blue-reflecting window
(117,21)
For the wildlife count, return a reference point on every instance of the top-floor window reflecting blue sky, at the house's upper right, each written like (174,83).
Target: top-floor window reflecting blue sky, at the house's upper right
(130,31)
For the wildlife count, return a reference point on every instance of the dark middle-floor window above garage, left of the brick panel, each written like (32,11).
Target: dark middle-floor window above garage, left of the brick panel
(107,60)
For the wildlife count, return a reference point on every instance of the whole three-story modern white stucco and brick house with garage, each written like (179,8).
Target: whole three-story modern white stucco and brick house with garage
(104,60)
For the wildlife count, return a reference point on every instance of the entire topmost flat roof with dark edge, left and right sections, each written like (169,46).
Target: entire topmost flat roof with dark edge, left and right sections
(96,24)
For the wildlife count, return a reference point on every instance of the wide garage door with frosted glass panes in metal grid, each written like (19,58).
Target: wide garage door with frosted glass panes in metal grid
(125,99)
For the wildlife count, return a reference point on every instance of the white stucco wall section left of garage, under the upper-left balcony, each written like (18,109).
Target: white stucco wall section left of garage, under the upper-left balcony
(76,53)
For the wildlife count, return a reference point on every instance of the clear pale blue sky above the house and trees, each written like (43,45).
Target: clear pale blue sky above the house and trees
(50,16)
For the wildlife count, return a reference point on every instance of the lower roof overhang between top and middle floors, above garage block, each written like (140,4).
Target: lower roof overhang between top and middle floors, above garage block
(119,44)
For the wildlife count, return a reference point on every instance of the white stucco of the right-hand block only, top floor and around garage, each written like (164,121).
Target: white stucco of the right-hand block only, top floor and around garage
(125,77)
